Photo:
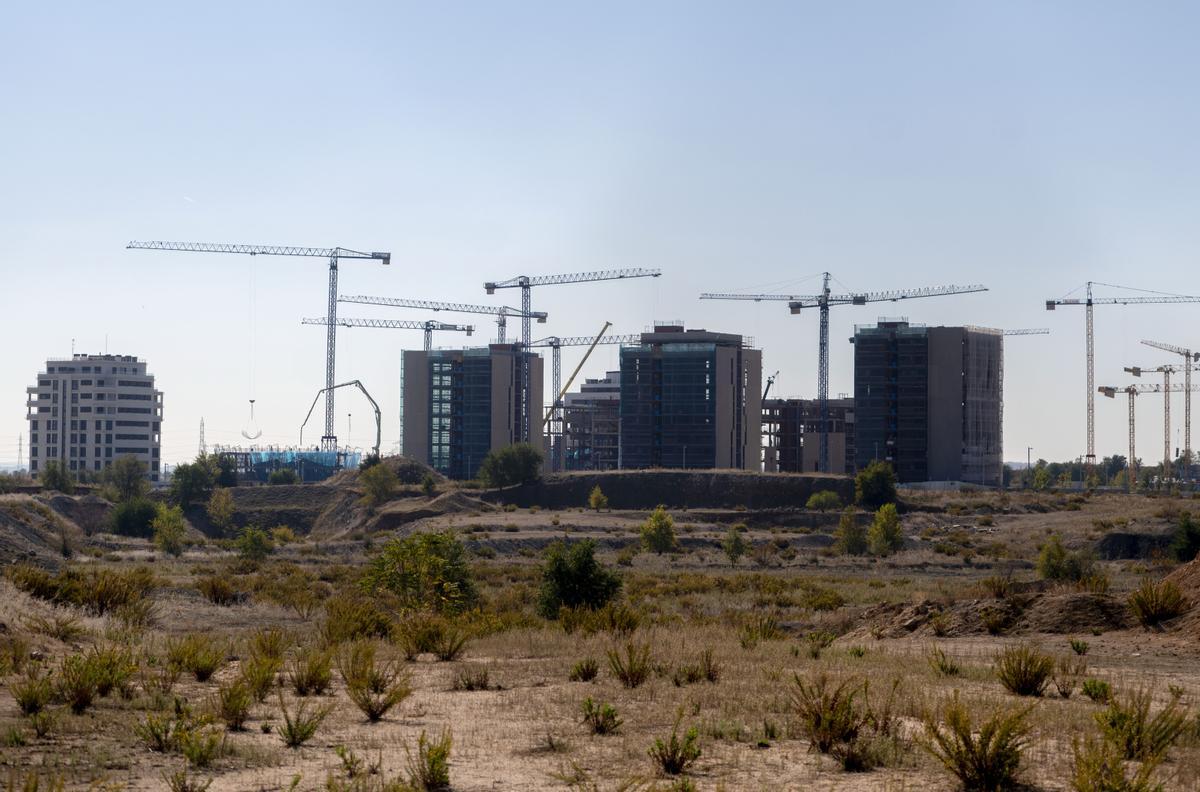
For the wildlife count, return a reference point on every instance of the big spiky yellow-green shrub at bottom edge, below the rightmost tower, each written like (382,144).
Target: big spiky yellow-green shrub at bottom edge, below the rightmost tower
(985,763)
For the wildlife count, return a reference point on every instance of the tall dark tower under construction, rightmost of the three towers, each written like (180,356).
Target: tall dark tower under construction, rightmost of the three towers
(928,400)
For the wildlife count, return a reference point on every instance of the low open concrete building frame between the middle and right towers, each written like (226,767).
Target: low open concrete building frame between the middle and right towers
(791,430)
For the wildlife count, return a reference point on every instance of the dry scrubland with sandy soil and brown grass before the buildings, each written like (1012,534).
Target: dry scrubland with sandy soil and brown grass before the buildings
(740,655)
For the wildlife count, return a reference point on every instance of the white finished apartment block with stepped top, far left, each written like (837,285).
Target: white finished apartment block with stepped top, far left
(86,411)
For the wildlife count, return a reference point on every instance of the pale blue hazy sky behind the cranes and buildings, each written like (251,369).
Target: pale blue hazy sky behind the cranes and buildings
(740,147)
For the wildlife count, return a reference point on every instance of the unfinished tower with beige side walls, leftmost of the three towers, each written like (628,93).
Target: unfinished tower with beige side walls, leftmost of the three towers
(461,404)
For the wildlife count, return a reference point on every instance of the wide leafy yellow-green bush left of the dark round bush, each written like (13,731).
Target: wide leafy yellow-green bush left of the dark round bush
(424,571)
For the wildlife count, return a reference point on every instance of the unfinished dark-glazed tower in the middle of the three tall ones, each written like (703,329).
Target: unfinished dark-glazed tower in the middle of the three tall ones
(691,399)
